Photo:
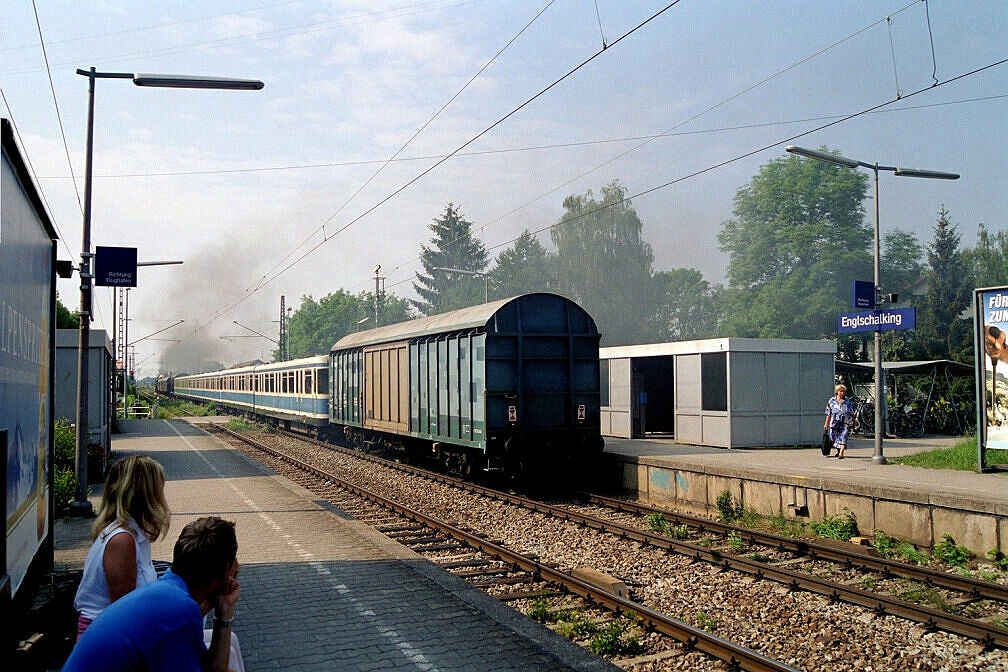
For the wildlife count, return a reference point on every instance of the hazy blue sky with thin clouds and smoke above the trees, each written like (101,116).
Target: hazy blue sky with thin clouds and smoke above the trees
(290,191)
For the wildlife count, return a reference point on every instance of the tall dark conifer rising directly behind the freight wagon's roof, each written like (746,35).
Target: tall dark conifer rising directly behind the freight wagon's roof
(453,247)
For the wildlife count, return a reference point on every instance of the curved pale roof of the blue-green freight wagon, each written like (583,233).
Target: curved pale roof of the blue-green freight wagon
(474,317)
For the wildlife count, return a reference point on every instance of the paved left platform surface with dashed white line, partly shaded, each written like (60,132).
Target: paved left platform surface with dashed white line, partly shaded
(323,592)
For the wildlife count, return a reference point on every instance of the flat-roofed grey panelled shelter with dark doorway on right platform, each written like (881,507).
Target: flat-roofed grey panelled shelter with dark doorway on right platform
(719,392)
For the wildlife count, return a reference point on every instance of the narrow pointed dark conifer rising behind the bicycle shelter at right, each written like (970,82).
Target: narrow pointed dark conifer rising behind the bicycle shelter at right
(942,331)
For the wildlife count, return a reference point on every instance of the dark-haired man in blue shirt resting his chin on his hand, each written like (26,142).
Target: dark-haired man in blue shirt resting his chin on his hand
(160,626)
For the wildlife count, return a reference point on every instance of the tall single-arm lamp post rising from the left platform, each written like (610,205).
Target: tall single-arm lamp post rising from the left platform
(81,506)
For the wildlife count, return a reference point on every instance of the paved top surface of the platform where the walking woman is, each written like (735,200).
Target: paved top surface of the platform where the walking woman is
(856,471)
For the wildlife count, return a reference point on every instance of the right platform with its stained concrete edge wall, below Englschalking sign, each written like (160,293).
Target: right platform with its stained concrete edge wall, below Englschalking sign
(912,503)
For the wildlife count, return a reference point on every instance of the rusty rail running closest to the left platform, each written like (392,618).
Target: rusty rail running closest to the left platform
(735,656)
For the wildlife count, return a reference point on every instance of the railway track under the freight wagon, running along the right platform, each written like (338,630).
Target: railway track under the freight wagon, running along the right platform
(854,560)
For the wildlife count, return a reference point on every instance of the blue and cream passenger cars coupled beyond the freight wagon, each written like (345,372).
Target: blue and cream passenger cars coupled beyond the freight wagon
(294,394)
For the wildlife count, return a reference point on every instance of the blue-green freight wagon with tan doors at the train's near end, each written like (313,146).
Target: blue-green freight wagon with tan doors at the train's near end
(492,387)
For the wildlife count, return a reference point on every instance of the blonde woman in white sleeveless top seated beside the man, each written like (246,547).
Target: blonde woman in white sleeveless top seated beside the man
(134,513)
